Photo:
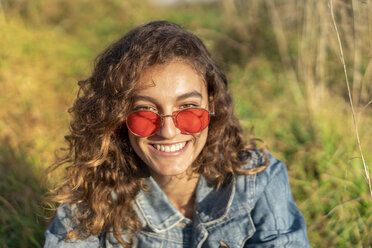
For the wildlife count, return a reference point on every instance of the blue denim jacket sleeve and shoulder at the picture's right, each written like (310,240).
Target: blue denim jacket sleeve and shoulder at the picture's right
(277,220)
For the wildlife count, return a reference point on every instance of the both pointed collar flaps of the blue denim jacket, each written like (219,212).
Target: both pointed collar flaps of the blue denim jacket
(157,212)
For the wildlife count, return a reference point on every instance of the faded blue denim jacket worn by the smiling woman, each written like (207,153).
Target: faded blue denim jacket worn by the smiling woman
(252,211)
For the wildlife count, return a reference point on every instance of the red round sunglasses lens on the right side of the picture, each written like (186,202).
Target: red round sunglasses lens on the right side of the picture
(192,120)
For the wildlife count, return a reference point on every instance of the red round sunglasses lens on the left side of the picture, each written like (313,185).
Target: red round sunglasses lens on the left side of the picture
(143,123)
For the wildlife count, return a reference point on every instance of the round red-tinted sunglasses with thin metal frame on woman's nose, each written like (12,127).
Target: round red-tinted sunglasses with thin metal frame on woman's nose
(146,123)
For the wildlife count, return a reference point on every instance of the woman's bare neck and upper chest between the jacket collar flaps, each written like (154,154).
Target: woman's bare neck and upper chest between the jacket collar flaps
(180,190)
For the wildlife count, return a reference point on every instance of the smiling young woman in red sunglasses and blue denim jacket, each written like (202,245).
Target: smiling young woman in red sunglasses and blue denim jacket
(157,157)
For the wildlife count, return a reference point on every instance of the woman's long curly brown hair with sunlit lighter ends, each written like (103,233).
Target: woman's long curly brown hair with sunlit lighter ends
(101,161)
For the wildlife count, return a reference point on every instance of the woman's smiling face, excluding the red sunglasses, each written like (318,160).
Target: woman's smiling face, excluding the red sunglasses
(164,89)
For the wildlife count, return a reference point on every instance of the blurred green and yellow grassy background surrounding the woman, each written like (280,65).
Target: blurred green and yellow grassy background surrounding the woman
(282,59)
